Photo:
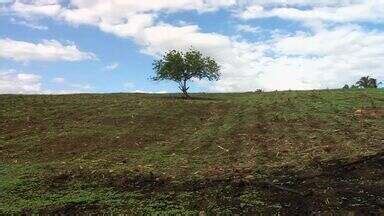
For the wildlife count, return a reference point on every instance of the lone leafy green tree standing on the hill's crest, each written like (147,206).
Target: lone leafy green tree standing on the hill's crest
(181,67)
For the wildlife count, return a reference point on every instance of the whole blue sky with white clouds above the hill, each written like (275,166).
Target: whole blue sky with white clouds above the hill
(76,46)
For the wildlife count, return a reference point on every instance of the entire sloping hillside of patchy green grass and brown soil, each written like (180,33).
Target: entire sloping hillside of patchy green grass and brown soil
(275,152)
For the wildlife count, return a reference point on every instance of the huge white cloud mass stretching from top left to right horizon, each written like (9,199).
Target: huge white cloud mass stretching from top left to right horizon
(322,57)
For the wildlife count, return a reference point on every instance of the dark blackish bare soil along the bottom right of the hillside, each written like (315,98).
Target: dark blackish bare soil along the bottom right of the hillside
(353,188)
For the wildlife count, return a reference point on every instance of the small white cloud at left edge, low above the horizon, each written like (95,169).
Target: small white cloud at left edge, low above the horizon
(19,83)
